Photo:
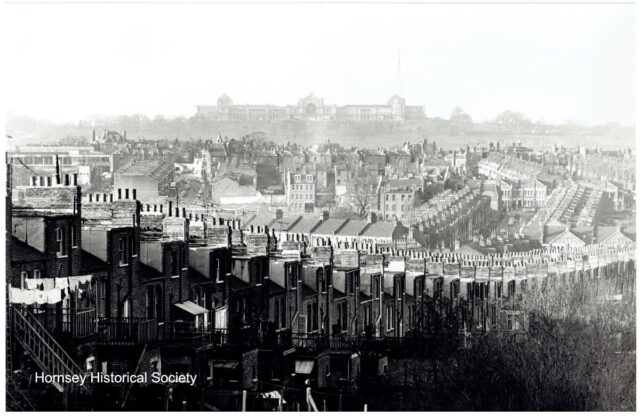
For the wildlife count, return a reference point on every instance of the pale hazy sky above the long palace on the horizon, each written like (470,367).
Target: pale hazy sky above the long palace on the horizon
(555,63)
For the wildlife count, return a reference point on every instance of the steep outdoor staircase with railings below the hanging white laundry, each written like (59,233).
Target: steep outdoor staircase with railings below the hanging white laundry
(50,357)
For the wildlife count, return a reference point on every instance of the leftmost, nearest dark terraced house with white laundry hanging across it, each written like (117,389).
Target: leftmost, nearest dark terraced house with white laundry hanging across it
(52,310)
